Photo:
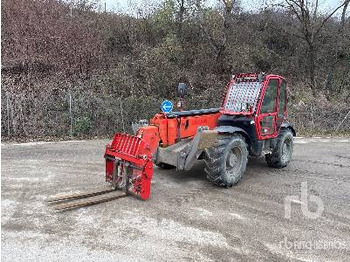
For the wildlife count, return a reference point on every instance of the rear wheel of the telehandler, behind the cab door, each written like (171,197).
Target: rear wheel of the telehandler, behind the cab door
(282,153)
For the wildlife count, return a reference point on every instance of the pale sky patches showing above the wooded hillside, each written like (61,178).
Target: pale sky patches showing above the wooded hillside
(127,6)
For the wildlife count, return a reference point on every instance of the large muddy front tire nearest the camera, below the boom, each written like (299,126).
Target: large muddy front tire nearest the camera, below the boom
(226,161)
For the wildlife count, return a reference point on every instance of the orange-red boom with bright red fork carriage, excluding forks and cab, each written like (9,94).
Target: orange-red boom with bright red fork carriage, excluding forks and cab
(135,152)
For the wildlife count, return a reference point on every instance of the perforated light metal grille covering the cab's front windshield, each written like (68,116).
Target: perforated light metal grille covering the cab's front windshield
(242,94)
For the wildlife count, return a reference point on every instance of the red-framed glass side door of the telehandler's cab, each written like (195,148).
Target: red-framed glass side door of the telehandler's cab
(268,110)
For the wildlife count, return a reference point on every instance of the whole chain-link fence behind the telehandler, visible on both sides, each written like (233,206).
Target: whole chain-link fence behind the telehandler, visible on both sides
(88,114)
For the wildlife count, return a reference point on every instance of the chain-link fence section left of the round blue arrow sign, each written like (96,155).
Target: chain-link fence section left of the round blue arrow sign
(62,114)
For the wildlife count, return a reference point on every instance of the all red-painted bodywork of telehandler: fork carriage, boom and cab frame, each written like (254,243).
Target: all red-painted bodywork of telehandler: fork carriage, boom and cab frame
(133,154)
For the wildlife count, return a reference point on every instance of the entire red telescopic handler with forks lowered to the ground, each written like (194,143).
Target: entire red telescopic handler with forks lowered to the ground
(252,120)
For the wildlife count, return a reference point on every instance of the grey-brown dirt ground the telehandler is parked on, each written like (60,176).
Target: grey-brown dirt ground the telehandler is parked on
(186,218)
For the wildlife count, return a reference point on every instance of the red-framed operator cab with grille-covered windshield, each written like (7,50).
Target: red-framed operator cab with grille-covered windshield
(261,99)
